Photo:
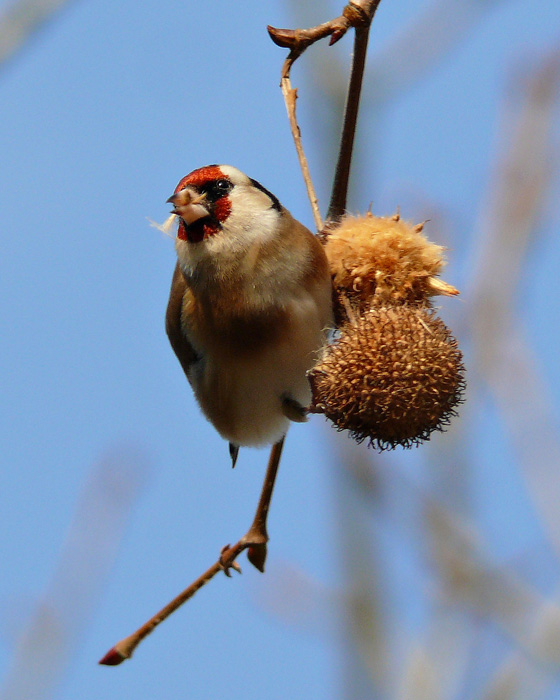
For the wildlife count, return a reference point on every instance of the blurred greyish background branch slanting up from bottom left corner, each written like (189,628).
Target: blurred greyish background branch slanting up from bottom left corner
(51,637)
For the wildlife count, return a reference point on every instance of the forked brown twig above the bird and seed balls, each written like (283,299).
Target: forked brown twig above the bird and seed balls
(357,14)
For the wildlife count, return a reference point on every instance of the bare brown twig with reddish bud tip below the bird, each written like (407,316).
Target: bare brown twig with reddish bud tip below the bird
(254,541)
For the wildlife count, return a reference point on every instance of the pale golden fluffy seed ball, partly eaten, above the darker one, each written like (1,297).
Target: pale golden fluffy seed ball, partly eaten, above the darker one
(377,260)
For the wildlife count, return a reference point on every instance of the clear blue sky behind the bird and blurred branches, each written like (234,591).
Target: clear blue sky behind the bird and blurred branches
(104,110)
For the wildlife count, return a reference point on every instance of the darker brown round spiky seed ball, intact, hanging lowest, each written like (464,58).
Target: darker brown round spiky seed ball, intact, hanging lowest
(393,377)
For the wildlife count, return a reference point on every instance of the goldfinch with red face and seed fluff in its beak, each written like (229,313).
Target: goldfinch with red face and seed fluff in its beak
(250,305)
